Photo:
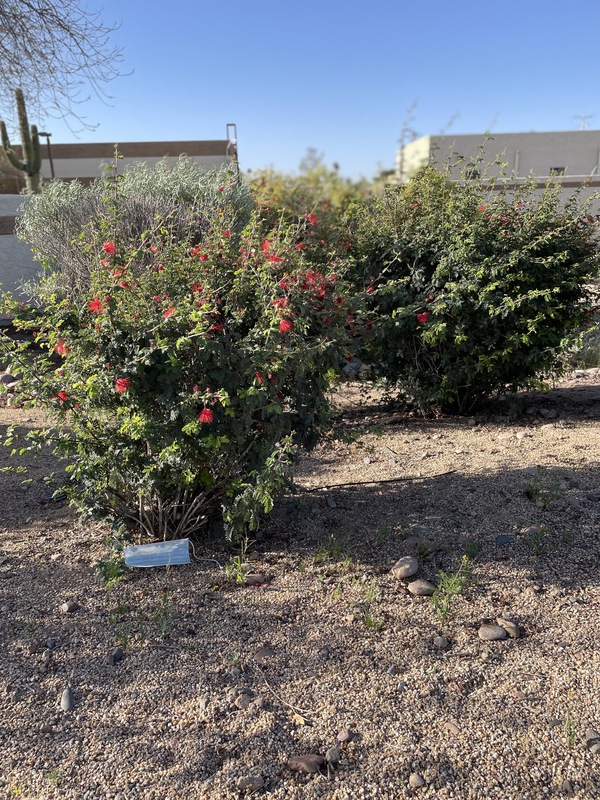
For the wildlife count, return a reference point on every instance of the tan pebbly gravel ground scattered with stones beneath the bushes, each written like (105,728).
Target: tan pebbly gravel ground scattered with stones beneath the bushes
(184,683)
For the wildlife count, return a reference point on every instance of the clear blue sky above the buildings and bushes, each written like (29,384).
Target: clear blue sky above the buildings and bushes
(341,75)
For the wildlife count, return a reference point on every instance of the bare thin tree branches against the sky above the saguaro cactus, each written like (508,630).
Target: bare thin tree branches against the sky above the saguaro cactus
(58,53)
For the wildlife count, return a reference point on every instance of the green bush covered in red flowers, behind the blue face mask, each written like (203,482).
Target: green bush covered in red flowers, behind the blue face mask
(180,375)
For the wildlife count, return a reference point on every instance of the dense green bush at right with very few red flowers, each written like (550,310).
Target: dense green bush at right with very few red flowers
(471,293)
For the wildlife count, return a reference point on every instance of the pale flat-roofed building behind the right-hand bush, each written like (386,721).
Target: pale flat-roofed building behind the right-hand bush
(569,157)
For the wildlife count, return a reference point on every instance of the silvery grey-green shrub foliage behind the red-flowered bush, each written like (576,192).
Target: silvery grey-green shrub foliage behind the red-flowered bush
(181,198)
